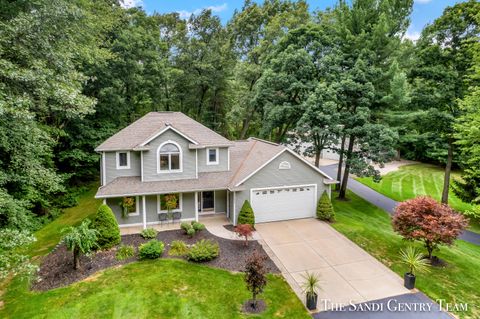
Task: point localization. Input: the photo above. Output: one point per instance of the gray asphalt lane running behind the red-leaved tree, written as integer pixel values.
(384, 202)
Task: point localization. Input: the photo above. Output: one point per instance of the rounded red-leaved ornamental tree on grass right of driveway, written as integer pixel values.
(424, 219)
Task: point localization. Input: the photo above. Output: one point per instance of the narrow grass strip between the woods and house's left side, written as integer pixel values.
(50, 235)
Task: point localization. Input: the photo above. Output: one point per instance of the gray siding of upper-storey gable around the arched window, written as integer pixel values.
(150, 159)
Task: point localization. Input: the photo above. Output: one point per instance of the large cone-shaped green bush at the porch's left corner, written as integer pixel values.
(105, 223)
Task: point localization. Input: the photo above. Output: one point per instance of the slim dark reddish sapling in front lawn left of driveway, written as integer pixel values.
(255, 276)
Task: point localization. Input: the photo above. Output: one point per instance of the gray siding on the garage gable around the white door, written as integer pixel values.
(270, 176)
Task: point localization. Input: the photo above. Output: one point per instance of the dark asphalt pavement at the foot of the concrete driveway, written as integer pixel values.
(407, 306)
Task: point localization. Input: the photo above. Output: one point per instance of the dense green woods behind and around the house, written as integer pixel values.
(74, 72)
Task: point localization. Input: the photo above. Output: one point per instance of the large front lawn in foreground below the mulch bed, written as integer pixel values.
(153, 289)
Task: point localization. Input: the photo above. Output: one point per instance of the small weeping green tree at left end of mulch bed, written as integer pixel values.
(81, 240)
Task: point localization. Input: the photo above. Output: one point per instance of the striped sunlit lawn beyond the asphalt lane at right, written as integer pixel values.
(410, 181)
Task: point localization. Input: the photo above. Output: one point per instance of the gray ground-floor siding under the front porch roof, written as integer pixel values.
(188, 209)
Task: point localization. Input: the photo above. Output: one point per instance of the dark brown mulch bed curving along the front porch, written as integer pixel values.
(56, 269)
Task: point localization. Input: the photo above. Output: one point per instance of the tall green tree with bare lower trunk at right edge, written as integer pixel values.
(445, 61)
